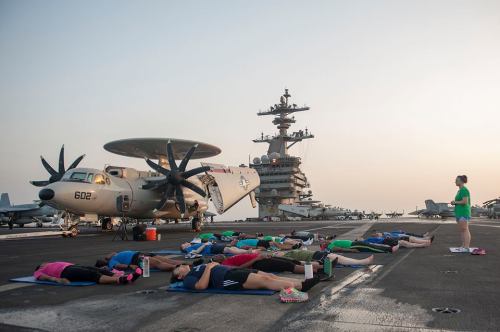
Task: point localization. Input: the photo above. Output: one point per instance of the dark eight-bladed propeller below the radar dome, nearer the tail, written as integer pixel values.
(175, 178)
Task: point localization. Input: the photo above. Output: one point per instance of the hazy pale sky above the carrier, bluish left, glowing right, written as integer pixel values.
(404, 95)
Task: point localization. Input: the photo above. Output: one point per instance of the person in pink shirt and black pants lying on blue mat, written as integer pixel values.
(64, 273)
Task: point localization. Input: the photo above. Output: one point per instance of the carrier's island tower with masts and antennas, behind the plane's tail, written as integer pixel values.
(281, 180)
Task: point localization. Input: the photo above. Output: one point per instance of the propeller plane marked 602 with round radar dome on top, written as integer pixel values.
(169, 192)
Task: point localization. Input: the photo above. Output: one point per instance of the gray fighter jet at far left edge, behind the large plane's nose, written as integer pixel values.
(24, 213)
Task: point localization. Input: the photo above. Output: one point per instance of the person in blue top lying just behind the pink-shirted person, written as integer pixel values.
(130, 259)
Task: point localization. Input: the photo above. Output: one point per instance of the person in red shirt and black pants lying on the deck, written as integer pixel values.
(263, 263)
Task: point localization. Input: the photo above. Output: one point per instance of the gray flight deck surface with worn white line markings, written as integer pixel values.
(397, 294)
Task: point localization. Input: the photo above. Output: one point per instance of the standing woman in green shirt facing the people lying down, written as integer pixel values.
(462, 205)
